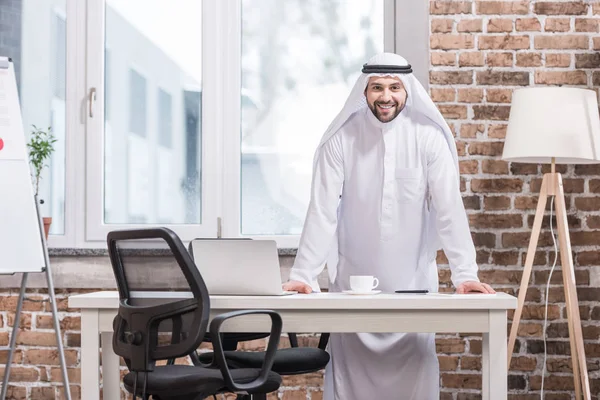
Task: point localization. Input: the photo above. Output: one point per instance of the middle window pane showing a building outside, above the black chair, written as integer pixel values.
(151, 161)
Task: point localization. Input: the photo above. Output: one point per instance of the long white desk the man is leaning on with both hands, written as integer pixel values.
(318, 312)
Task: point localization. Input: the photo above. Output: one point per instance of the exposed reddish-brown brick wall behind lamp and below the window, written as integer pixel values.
(480, 52)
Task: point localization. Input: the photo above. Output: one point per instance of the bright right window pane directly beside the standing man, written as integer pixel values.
(299, 61)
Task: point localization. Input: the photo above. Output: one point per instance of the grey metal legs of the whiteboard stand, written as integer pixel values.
(13, 338)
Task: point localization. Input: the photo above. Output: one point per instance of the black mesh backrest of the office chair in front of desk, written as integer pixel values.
(146, 302)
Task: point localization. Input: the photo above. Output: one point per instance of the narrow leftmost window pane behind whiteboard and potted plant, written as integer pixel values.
(33, 34)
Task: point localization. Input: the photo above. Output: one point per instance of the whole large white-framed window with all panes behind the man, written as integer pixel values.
(199, 115)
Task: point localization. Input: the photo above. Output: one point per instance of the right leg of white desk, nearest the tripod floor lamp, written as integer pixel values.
(494, 368)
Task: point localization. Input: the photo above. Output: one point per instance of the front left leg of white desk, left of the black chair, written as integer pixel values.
(90, 356)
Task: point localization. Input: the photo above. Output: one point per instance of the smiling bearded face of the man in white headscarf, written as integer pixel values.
(385, 96)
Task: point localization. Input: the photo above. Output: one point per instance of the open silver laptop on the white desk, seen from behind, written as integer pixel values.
(239, 266)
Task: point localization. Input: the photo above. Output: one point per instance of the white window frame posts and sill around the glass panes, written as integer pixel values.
(221, 153)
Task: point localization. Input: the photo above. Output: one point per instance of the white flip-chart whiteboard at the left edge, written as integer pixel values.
(21, 241)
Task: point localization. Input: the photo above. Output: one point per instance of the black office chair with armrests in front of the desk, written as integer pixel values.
(144, 322)
